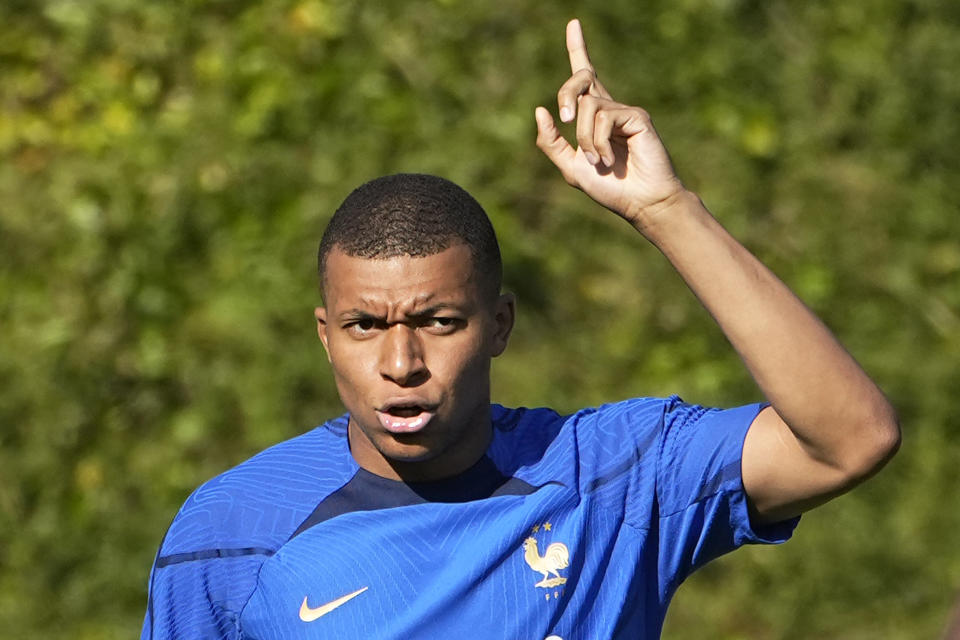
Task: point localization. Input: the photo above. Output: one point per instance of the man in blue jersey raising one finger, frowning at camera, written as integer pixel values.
(426, 512)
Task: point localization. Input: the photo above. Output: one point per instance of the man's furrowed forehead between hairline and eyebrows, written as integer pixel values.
(444, 277)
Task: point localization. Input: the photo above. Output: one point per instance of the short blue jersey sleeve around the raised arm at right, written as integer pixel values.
(701, 500)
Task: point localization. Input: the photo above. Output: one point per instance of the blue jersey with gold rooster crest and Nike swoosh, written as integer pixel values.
(569, 527)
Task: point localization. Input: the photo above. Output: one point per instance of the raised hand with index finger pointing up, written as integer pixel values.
(619, 161)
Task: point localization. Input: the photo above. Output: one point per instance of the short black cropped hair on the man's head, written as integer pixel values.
(412, 214)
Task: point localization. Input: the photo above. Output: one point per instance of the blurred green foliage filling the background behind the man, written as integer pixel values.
(166, 170)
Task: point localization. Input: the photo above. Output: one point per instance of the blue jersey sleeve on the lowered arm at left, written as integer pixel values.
(210, 558)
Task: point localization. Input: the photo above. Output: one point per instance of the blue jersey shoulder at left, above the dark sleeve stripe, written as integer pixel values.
(261, 501)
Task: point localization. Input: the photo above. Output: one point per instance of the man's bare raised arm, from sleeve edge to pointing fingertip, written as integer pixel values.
(829, 427)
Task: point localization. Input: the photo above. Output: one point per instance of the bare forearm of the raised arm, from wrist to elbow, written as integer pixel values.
(835, 411)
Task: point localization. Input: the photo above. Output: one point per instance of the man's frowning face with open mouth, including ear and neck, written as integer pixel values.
(410, 341)
